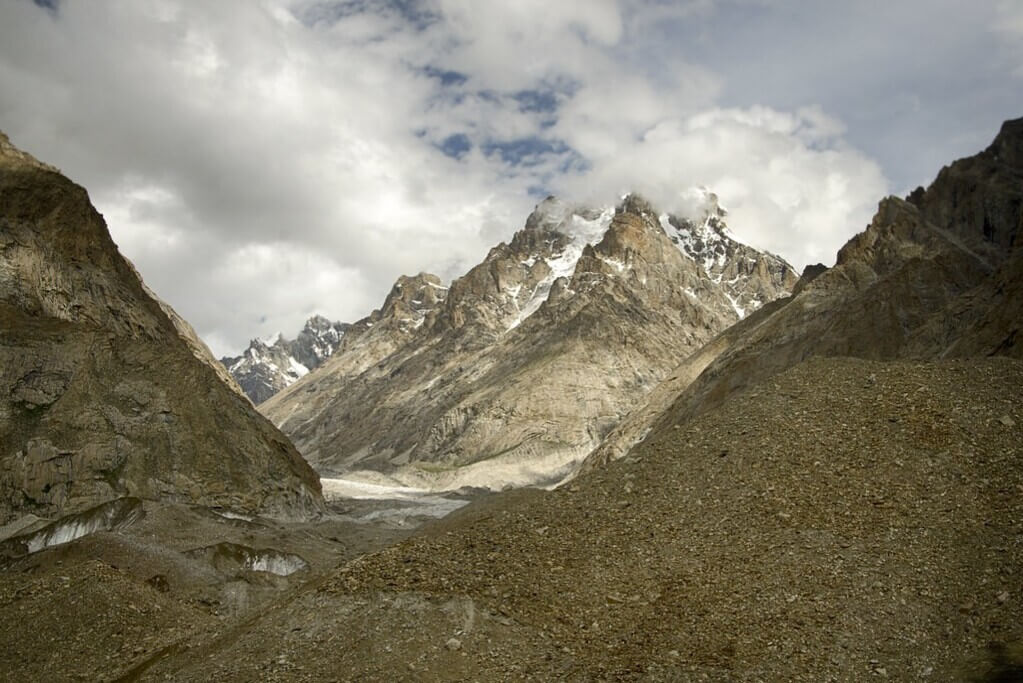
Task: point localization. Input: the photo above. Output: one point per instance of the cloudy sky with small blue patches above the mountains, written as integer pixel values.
(263, 161)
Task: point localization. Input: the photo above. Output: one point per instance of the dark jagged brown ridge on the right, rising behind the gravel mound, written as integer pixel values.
(936, 276)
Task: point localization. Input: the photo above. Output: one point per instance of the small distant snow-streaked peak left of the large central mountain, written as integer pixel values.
(269, 367)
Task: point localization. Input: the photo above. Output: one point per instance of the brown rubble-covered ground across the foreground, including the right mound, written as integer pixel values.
(847, 520)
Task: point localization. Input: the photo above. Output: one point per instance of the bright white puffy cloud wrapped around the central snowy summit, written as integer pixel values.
(790, 184)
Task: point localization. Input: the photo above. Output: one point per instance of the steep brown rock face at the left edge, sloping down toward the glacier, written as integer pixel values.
(104, 392)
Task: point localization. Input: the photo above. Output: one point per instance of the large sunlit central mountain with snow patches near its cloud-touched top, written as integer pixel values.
(517, 372)
